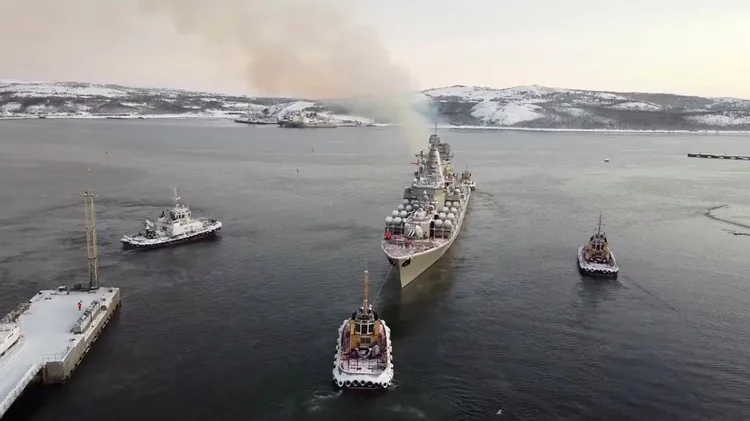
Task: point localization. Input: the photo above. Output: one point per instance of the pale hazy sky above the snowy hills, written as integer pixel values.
(688, 46)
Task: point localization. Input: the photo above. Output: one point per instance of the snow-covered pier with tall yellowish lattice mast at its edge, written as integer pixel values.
(46, 338)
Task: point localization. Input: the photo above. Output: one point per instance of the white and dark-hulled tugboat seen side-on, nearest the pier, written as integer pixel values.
(176, 226)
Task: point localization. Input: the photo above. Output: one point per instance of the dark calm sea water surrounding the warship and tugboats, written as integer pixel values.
(244, 327)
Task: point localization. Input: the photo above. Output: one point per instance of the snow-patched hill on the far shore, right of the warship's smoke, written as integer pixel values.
(542, 107)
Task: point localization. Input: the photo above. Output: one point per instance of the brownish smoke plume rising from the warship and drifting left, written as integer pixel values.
(304, 48)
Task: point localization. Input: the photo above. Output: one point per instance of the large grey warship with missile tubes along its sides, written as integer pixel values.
(424, 227)
